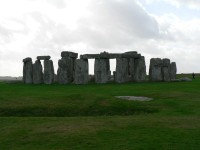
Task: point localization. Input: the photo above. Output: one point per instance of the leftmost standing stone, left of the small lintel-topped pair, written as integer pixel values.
(28, 71)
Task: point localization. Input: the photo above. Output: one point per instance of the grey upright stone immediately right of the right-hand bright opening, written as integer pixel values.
(121, 74)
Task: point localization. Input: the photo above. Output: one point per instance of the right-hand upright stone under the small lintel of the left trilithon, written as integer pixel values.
(48, 72)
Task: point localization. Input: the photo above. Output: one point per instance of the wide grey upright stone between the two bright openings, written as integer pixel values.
(102, 70)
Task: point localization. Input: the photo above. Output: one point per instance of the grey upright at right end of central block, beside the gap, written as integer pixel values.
(139, 69)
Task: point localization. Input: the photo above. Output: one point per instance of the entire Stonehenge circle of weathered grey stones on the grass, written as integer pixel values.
(130, 67)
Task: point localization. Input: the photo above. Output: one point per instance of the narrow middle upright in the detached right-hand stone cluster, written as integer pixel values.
(166, 69)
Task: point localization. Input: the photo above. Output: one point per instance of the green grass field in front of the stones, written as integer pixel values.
(59, 117)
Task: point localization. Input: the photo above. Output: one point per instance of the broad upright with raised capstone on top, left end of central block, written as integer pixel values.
(66, 70)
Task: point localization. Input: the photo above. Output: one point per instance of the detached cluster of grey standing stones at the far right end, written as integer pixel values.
(162, 70)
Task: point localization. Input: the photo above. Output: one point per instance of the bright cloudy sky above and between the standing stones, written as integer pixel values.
(154, 28)
